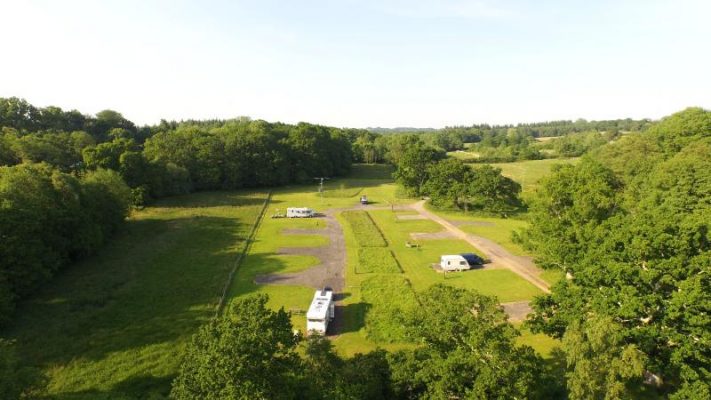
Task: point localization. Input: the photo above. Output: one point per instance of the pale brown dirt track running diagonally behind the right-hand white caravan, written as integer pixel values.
(522, 266)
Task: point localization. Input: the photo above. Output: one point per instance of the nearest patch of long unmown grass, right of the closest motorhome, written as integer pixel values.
(390, 298)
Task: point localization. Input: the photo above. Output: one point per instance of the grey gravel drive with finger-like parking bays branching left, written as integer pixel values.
(331, 270)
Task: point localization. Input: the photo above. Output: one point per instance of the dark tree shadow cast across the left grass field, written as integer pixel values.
(148, 289)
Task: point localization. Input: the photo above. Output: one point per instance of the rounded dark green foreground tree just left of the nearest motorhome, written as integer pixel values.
(249, 352)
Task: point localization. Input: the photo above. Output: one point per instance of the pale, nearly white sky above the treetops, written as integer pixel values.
(360, 63)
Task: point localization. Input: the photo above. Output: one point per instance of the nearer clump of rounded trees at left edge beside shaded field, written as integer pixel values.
(49, 218)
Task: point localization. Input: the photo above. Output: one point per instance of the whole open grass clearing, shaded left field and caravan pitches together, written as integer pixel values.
(133, 306)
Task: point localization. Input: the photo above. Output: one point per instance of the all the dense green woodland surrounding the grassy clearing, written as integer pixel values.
(629, 225)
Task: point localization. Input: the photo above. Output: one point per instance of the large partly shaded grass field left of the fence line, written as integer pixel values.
(113, 326)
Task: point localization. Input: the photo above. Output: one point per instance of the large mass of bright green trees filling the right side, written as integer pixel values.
(634, 237)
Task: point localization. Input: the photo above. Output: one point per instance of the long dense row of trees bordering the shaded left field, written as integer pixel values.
(67, 181)
